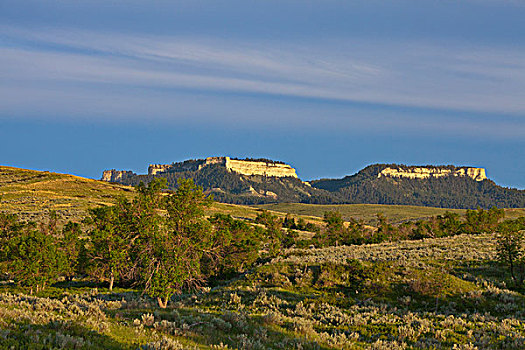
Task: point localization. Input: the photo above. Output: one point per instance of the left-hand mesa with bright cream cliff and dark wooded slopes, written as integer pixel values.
(248, 181)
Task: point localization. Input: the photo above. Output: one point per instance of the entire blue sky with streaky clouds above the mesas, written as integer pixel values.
(326, 86)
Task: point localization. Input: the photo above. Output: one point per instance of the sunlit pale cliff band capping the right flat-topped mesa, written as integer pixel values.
(477, 174)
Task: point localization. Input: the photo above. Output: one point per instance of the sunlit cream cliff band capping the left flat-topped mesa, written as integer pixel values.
(244, 167)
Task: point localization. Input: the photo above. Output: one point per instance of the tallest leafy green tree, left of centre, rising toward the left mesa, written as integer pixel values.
(171, 256)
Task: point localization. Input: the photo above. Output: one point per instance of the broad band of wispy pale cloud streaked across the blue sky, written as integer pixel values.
(87, 73)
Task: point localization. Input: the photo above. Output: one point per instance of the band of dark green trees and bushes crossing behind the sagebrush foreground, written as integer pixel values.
(162, 242)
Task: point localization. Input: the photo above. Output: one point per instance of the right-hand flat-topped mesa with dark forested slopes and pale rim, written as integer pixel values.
(433, 186)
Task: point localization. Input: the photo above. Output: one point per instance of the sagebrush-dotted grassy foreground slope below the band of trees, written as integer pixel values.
(432, 294)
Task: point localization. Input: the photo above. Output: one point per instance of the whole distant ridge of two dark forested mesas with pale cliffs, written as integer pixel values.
(259, 181)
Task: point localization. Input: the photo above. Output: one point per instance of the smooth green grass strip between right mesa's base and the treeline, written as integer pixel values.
(368, 212)
